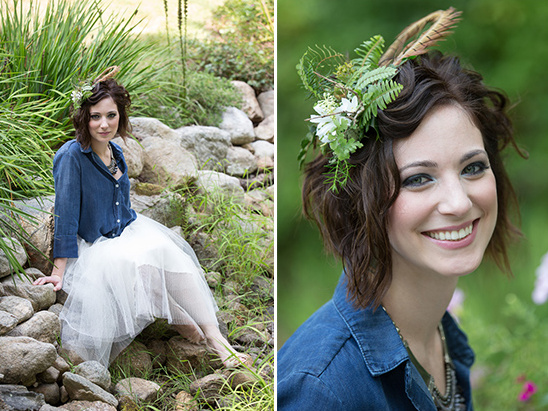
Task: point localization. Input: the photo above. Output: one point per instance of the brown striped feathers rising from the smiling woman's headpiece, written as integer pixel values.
(442, 21)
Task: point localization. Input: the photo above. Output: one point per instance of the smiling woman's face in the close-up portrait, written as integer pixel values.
(445, 213)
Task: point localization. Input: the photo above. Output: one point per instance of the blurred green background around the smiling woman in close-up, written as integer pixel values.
(507, 42)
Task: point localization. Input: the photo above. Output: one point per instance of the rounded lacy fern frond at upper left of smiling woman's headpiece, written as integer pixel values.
(316, 68)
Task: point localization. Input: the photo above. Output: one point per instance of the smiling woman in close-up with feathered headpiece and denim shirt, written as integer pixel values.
(409, 192)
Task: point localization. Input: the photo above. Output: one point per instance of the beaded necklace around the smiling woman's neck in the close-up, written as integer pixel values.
(453, 400)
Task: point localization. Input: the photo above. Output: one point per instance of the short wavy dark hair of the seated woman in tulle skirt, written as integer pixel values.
(102, 90)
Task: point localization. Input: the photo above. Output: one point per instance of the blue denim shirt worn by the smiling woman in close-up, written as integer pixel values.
(342, 358)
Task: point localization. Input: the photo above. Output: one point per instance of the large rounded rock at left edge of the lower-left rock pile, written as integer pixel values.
(21, 358)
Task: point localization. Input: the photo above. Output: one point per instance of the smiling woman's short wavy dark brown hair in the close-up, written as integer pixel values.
(353, 221)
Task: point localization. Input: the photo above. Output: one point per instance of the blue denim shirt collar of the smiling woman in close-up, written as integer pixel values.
(379, 341)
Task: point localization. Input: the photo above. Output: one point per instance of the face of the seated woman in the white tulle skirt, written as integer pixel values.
(103, 120)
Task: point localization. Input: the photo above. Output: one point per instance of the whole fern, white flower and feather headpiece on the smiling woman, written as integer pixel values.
(349, 93)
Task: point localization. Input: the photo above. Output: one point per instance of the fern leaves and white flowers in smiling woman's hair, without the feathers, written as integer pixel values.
(350, 94)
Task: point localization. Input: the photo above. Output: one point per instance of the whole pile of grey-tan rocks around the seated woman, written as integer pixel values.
(237, 159)
